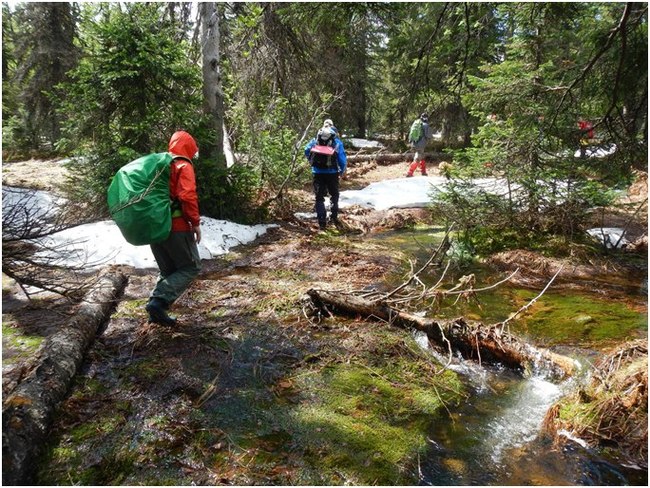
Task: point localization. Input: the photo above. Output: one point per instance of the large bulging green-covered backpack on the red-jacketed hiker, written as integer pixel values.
(138, 199)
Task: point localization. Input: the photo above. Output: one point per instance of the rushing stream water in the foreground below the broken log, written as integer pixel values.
(492, 439)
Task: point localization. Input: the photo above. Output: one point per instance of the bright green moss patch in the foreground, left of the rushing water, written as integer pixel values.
(370, 423)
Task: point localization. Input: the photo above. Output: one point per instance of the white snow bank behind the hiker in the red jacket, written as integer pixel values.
(101, 243)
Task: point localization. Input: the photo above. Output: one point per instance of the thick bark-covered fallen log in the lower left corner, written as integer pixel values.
(27, 412)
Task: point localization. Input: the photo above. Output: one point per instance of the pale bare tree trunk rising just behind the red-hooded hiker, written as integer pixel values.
(212, 90)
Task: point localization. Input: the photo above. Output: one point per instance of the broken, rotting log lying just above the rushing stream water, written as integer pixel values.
(473, 340)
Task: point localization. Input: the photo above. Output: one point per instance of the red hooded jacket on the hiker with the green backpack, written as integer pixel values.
(182, 182)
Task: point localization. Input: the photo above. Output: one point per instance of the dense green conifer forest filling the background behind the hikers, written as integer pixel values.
(108, 82)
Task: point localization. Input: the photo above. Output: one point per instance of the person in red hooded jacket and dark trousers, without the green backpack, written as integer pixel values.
(178, 256)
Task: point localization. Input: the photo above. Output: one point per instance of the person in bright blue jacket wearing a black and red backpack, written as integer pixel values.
(328, 161)
